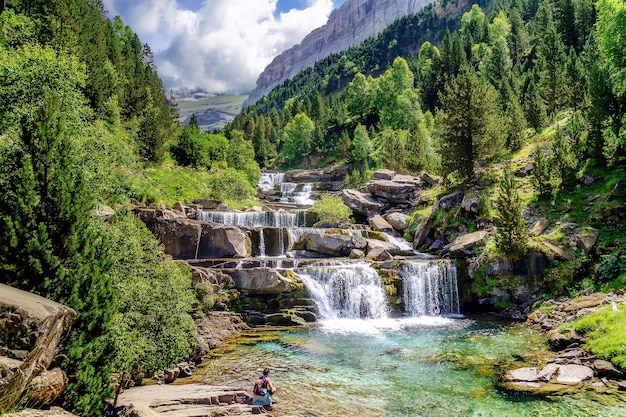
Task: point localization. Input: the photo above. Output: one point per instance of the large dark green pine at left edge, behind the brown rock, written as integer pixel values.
(48, 245)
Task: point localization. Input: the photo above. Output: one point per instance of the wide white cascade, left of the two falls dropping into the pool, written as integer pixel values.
(346, 291)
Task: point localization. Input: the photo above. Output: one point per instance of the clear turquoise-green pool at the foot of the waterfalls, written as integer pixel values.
(431, 367)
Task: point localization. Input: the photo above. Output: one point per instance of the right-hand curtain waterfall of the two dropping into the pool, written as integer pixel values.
(430, 288)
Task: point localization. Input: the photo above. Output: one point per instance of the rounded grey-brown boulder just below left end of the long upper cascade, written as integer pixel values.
(222, 241)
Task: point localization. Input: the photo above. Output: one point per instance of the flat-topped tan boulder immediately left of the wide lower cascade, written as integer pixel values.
(261, 280)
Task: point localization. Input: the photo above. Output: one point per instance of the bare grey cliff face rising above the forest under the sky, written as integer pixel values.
(348, 26)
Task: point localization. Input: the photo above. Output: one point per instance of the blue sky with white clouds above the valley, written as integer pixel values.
(219, 46)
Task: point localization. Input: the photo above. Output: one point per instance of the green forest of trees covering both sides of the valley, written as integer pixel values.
(85, 122)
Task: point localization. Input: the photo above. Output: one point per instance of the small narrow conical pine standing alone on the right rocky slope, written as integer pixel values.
(511, 233)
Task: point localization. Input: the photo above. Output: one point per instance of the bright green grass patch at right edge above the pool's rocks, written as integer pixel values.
(606, 333)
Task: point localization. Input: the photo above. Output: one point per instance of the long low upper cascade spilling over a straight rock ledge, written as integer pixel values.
(254, 219)
